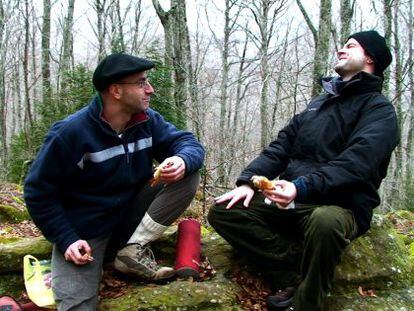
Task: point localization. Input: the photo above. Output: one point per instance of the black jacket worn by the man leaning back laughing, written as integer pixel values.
(337, 150)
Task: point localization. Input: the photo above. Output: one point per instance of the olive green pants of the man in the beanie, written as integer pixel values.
(298, 246)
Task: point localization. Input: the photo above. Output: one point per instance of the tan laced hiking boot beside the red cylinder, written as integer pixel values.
(139, 261)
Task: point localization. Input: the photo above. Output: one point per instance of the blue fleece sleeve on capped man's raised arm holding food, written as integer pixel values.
(168, 141)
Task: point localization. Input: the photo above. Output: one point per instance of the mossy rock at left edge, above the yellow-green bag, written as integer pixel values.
(11, 254)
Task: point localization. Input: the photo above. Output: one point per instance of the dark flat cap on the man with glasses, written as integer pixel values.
(117, 66)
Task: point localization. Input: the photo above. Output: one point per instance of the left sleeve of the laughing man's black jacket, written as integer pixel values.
(273, 160)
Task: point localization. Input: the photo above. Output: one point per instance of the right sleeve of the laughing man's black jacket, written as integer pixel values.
(367, 154)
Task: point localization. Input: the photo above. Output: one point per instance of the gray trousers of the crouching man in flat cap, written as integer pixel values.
(76, 287)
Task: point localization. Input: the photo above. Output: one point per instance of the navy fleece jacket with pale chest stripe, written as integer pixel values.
(85, 174)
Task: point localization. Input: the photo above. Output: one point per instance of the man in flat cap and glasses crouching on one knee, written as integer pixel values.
(88, 189)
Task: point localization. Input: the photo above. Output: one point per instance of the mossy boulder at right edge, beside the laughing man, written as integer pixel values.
(379, 259)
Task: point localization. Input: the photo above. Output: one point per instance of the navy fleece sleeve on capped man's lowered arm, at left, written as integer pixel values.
(42, 192)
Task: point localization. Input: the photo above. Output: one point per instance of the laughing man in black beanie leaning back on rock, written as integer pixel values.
(329, 160)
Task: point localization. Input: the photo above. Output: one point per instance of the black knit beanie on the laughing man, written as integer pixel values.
(375, 46)
